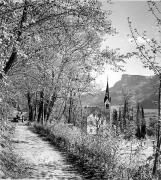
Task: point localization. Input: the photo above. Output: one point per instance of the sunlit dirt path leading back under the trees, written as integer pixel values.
(47, 161)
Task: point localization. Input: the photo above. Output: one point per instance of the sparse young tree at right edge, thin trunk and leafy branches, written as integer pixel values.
(149, 53)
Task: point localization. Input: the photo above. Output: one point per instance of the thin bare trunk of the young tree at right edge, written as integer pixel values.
(158, 131)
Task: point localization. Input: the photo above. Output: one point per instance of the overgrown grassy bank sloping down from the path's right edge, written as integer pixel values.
(100, 156)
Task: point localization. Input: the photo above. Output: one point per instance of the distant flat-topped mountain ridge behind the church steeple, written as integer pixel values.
(142, 88)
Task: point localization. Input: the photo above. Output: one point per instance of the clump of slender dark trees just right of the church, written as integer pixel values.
(128, 118)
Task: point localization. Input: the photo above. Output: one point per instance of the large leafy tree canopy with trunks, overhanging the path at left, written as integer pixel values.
(50, 50)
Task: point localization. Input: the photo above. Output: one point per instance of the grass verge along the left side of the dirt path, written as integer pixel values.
(11, 166)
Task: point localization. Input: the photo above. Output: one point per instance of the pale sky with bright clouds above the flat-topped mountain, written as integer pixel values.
(141, 19)
